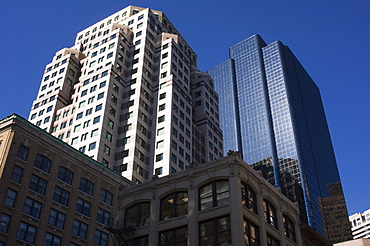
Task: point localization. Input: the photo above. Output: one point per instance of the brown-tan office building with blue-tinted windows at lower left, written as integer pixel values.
(52, 194)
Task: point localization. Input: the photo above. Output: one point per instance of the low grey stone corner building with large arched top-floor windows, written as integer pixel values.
(224, 202)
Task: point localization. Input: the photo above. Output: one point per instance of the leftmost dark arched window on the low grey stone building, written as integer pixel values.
(137, 215)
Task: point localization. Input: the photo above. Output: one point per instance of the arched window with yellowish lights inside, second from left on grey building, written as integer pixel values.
(174, 205)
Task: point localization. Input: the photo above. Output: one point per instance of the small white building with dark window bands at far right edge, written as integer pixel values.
(360, 224)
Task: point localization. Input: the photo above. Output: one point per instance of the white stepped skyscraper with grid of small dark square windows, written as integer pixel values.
(126, 94)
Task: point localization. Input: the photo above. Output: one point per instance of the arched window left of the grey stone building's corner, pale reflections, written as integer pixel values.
(214, 194)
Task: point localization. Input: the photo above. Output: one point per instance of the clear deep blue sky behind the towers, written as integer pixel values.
(328, 37)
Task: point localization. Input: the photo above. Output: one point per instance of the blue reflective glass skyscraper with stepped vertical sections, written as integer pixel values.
(271, 111)
